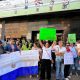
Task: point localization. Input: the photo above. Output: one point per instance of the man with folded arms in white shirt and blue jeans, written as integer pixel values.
(60, 50)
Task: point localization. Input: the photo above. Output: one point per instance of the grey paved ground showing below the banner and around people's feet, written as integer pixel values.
(74, 77)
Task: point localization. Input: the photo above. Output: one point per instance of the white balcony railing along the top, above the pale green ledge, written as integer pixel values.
(11, 5)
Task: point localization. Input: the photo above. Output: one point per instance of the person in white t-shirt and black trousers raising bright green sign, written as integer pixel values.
(46, 61)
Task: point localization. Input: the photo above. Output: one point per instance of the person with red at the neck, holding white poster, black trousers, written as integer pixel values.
(68, 61)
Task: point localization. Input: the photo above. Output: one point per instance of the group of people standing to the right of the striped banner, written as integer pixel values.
(63, 57)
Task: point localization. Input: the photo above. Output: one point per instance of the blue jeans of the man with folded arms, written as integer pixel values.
(59, 70)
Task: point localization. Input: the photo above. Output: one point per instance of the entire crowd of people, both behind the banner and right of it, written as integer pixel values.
(50, 53)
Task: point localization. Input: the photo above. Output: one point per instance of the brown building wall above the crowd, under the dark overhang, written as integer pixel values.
(14, 29)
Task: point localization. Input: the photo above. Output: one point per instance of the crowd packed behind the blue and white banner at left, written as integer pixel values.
(12, 45)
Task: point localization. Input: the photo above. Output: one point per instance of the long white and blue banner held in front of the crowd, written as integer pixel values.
(18, 64)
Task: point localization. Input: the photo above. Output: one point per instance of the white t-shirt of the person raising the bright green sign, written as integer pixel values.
(46, 53)
